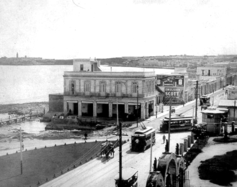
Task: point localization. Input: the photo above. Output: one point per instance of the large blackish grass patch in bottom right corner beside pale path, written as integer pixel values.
(219, 169)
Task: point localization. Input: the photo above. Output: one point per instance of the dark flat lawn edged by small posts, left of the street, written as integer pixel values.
(41, 165)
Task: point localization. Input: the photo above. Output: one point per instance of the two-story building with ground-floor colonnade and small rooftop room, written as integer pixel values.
(102, 91)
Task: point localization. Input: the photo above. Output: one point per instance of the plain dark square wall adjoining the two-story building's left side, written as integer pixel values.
(55, 103)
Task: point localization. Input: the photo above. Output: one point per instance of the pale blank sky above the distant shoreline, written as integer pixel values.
(67, 29)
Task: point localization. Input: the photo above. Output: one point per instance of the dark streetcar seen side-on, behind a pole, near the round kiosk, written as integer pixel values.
(179, 123)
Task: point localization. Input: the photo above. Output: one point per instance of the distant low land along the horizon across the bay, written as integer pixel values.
(148, 61)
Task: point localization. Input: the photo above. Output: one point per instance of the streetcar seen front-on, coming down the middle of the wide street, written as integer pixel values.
(141, 139)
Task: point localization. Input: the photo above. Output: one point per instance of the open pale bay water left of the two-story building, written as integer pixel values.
(22, 84)
